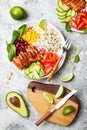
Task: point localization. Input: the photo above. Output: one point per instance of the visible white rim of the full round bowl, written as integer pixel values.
(59, 52)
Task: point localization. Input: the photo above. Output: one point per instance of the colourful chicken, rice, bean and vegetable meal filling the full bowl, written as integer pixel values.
(28, 48)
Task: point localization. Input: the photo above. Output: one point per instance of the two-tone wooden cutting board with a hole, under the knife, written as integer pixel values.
(35, 95)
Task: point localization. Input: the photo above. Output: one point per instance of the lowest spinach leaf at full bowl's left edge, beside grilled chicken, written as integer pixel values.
(11, 51)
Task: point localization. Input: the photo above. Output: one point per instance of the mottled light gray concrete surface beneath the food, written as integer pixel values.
(39, 9)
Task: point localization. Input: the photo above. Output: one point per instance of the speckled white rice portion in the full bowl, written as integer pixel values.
(50, 41)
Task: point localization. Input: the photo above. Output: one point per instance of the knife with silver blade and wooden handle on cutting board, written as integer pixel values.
(57, 106)
